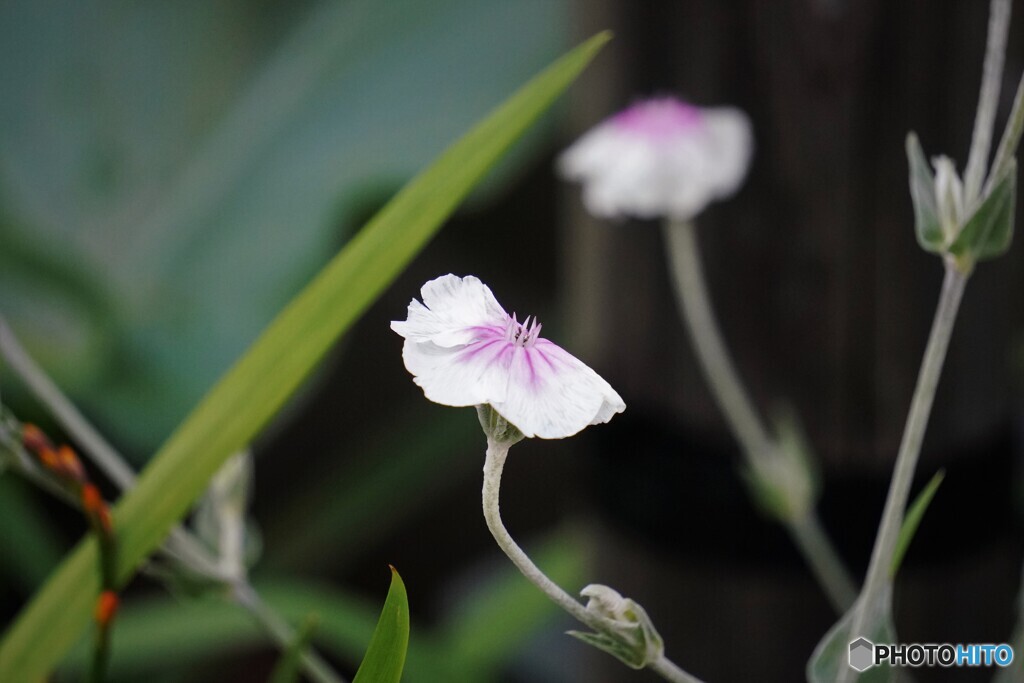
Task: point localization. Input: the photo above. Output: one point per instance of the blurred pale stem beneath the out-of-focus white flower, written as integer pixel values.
(736, 404)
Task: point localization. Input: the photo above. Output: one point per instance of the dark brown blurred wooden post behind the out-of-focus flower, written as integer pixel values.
(826, 302)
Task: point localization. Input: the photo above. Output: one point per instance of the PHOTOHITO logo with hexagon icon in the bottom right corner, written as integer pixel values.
(865, 655)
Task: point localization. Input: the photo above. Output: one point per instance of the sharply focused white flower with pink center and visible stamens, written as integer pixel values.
(463, 350)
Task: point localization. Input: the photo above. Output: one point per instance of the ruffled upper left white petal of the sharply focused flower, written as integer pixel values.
(453, 312)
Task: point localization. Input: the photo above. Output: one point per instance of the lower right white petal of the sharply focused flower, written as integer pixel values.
(552, 395)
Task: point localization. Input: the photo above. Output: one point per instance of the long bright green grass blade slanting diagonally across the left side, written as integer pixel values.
(255, 389)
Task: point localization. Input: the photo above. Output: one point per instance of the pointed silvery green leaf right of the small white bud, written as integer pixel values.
(989, 233)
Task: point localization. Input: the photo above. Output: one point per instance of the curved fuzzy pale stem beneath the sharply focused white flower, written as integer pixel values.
(493, 467)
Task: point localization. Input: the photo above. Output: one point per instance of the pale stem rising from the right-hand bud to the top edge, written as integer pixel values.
(992, 80)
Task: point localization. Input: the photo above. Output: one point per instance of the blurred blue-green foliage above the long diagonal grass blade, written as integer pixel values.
(170, 175)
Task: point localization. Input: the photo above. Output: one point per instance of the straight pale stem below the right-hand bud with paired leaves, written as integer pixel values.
(879, 572)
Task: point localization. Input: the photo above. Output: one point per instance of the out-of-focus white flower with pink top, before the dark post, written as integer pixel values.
(661, 158)
